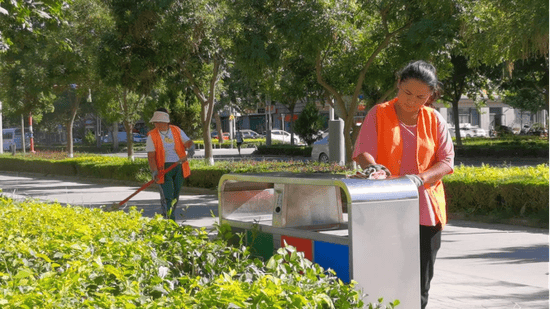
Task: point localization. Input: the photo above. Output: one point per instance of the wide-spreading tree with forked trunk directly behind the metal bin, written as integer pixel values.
(347, 40)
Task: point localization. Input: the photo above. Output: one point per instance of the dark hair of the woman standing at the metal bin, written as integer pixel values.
(424, 72)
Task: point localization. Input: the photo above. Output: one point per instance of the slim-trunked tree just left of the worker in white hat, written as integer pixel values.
(131, 58)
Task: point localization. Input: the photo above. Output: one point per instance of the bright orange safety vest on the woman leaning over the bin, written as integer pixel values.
(390, 149)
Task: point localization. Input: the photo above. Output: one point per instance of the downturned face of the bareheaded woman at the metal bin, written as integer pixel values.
(412, 94)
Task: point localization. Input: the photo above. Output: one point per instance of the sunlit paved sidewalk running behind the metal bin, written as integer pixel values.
(478, 266)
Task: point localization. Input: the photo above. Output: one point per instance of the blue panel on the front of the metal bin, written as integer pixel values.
(333, 256)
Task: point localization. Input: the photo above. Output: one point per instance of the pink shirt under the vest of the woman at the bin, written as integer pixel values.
(367, 142)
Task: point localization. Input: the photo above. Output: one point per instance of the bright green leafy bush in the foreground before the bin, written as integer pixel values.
(72, 257)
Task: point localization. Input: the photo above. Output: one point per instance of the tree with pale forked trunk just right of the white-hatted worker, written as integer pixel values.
(196, 39)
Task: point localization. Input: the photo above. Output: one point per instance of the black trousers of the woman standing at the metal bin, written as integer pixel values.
(430, 242)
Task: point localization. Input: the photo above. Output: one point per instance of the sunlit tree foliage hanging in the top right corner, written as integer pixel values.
(497, 32)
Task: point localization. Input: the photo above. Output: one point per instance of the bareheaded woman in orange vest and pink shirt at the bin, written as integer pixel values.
(405, 137)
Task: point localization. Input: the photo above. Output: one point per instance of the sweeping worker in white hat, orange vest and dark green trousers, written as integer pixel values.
(167, 144)
